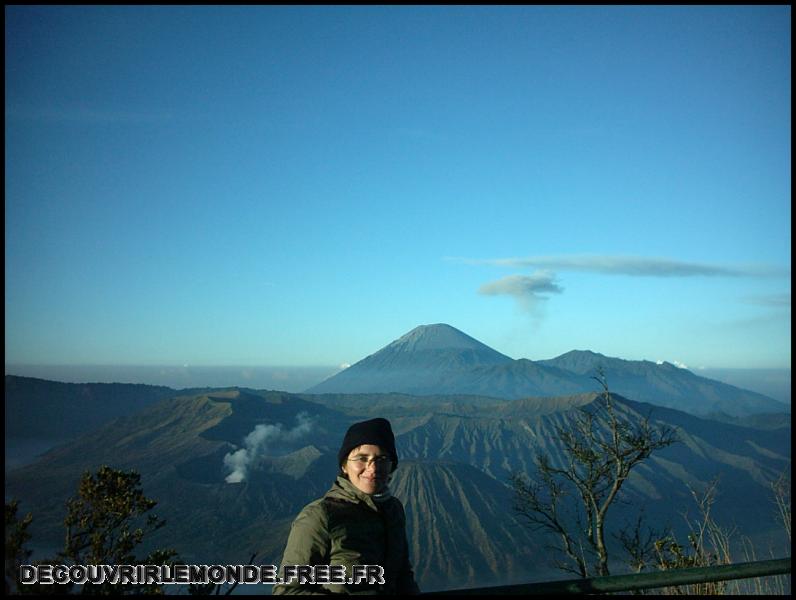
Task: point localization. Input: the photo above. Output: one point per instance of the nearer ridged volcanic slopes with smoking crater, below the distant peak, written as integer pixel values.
(456, 455)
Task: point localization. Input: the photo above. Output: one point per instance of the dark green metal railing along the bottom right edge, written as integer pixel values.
(637, 581)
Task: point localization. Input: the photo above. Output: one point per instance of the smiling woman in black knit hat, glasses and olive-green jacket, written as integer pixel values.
(357, 522)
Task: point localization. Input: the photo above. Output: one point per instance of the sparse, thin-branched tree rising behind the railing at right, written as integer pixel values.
(571, 501)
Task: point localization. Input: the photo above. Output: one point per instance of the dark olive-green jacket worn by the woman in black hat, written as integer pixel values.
(347, 527)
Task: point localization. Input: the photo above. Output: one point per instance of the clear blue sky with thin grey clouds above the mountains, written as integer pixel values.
(302, 185)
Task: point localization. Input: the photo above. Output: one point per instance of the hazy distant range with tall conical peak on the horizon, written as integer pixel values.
(441, 360)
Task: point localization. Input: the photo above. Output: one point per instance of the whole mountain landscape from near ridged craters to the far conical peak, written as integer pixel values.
(231, 467)
